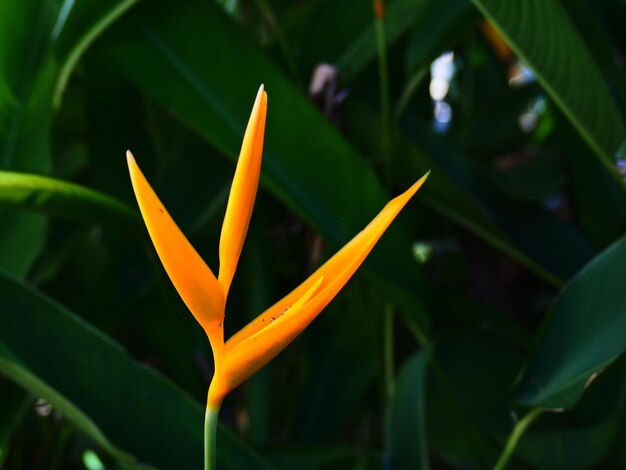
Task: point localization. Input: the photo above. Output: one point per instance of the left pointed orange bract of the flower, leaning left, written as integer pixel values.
(192, 278)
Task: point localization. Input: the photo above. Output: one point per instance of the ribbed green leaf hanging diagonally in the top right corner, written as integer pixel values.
(543, 35)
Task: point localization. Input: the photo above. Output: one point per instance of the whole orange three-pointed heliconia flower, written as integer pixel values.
(205, 295)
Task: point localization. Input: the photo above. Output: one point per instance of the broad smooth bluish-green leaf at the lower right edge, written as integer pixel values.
(582, 333)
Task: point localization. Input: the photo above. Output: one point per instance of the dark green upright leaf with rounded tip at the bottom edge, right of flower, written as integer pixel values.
(406, 430)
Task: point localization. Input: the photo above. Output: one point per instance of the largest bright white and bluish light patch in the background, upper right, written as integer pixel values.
(441, 71)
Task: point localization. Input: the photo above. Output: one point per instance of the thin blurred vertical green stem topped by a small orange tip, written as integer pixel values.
(381, 45)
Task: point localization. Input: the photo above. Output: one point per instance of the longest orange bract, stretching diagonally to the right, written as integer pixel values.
(256, 344)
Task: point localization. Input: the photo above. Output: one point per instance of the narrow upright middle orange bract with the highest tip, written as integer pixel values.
(242, 193)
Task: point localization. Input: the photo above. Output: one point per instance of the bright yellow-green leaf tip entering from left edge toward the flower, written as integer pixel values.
(59, 198)
